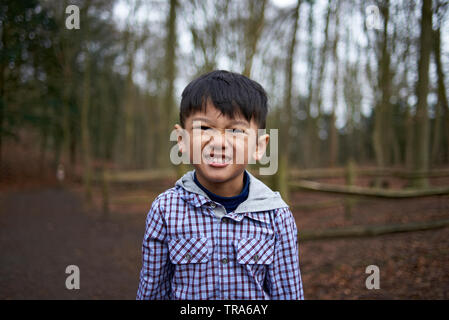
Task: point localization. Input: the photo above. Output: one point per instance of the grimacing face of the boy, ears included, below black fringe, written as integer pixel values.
(219, 147)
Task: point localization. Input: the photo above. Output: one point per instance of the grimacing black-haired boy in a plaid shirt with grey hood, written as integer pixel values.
(220, 233)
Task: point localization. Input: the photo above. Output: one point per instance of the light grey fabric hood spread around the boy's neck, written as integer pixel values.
(260, 197)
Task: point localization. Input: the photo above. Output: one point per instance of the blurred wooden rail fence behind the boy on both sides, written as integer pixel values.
(350, 191)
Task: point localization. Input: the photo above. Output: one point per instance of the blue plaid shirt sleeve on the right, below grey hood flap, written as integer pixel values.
(284, 277)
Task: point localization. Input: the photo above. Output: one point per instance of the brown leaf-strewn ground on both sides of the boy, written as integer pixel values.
(45, 229)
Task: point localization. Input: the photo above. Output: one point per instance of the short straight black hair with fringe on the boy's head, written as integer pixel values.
(229, 92)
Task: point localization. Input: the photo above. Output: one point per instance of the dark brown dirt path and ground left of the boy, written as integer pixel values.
(42, 232)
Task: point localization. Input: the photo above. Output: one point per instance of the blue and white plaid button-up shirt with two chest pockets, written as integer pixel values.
(190, 252)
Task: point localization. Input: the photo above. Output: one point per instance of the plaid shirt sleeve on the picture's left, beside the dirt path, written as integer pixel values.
(156, 272)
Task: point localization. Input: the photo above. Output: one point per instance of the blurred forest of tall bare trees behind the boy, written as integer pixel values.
(346, 81)
